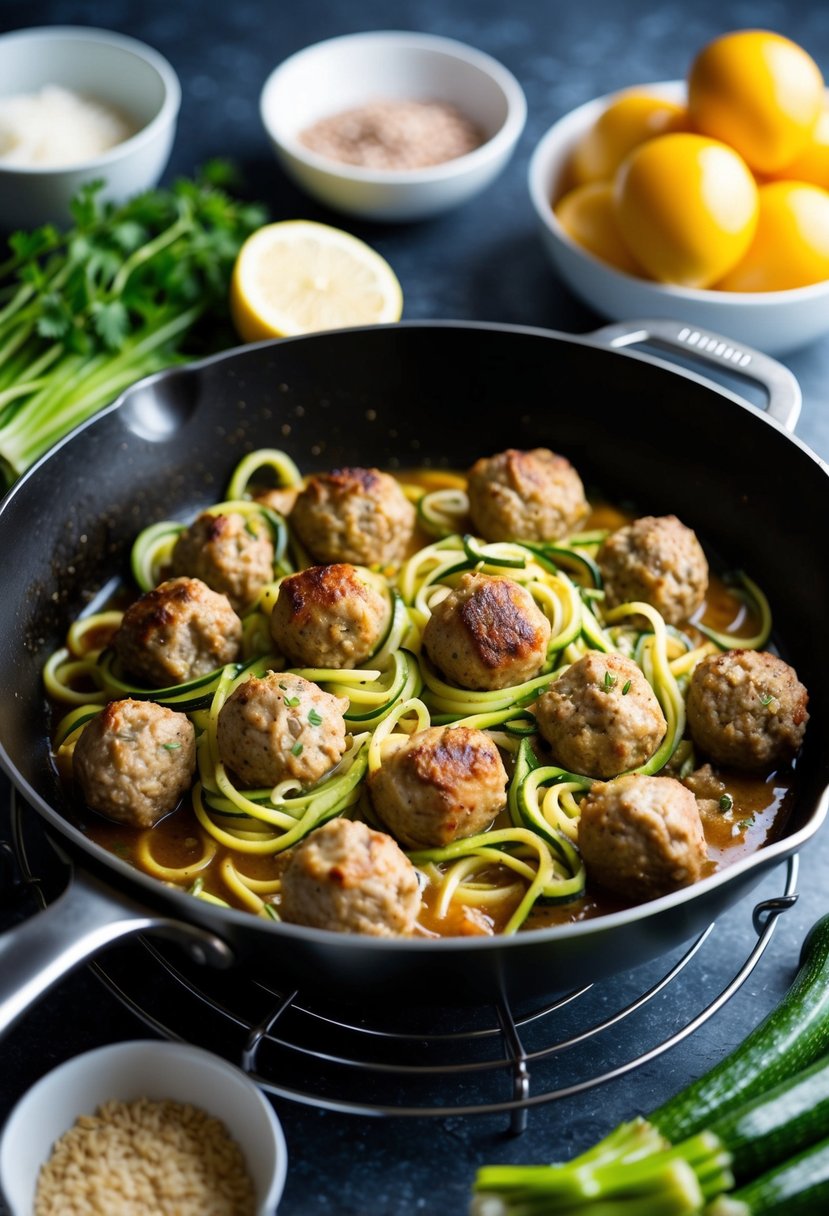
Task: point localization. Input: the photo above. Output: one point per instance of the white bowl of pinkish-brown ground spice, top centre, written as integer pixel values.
(391, 125)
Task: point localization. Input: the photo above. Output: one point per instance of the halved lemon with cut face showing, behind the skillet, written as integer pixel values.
(298, 277)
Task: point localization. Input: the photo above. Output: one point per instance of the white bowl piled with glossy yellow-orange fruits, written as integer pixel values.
(704, 200)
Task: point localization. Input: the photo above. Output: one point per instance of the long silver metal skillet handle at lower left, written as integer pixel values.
(84, 920)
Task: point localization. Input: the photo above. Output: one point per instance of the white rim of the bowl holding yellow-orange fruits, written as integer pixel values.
(573, 122)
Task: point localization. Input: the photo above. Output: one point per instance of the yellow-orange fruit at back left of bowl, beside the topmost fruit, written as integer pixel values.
(628, 120)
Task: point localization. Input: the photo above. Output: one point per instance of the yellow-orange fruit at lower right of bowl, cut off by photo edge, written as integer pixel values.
(791, 247)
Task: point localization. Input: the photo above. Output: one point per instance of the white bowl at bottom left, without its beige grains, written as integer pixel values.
(142, 1069)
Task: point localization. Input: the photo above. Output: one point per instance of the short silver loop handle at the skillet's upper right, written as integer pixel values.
(714, 351)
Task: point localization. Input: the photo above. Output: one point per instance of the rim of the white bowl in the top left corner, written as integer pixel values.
(167, 114)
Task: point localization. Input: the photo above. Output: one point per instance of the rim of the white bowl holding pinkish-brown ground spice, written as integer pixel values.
(501, 76)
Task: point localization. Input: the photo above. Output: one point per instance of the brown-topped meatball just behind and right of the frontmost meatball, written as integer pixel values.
(442, 785)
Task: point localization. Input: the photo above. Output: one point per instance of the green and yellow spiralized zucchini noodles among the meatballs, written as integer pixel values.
(531, 855)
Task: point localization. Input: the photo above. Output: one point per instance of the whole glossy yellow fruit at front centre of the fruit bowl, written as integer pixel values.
(687, 207)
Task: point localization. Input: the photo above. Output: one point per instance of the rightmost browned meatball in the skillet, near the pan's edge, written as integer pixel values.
(747, 710)
